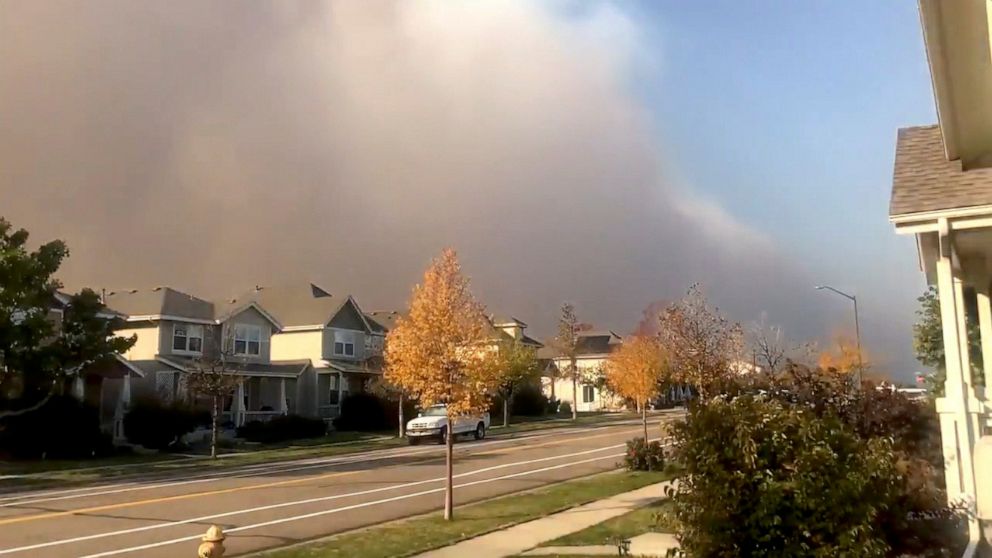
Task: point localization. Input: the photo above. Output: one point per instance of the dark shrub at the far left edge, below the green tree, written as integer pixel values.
(63, 428)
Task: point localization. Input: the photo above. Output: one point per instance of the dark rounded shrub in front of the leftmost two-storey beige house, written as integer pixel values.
(156, 425)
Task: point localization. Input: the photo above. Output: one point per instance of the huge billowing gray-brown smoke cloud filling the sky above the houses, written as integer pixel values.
(217, 145)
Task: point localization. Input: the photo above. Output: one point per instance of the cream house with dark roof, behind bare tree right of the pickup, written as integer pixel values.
(593, 348)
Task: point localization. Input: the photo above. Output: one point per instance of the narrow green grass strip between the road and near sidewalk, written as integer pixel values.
(413, 536)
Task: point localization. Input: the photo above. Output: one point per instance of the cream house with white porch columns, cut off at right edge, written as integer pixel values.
(942, 196)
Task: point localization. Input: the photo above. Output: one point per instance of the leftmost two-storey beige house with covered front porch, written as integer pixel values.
(174, 330)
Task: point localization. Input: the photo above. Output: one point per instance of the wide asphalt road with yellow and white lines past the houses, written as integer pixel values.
(270, 505)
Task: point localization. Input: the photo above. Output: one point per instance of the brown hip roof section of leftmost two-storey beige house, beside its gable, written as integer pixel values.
(159, 303)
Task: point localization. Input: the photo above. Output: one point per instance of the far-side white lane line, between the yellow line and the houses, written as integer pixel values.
(248, 470)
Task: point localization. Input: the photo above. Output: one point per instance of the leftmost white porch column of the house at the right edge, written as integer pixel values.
(957, 428)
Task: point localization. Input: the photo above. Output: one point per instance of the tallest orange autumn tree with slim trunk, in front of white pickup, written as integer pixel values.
(440, 352)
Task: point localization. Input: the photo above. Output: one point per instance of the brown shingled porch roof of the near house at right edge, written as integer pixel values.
(924, 180)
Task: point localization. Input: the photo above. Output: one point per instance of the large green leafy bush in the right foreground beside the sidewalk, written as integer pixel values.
(763, 477)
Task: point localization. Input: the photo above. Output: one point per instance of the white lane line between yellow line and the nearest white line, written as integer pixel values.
(299, 502)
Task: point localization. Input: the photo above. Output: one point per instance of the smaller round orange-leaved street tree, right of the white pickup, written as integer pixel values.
(635, 370)
